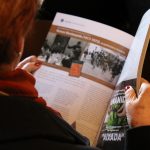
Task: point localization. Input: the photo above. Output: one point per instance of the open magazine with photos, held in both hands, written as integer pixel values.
(87, 66)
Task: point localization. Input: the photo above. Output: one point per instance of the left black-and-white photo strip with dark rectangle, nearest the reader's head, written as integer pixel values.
(61, 50)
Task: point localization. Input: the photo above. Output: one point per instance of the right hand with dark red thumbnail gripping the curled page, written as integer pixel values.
(138, 108)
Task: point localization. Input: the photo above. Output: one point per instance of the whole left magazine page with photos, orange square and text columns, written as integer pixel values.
(81, 97)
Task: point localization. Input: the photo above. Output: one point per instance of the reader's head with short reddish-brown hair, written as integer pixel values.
(16, 18)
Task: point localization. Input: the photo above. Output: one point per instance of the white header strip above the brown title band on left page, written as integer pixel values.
(94, 28)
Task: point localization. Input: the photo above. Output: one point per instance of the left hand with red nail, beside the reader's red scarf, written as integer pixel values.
(30, 64)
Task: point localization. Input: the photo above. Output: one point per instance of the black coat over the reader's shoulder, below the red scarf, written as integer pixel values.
(28, 125)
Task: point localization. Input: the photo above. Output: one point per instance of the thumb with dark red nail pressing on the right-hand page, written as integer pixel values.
(130, 93)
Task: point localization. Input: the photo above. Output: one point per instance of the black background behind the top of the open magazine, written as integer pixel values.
(122, 14)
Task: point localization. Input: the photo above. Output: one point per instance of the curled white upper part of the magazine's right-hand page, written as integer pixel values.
(133, 66)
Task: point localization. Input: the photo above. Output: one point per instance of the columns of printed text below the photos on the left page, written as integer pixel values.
(80, 101)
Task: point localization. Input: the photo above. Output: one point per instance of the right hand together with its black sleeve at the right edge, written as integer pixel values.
(138, 116)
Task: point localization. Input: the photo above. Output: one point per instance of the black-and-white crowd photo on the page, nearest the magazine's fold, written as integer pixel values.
(102, 63)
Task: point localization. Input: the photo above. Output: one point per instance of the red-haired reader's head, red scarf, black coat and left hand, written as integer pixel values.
(26, 121)
